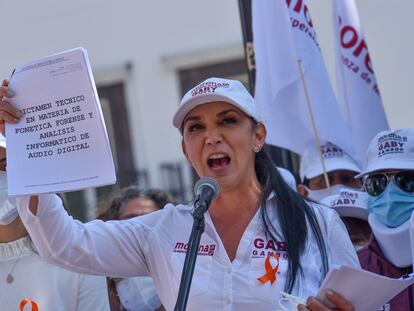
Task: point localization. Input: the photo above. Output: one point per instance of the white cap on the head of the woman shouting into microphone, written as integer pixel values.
(217, 89)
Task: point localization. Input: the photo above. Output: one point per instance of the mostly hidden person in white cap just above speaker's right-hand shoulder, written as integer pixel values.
(351, 205)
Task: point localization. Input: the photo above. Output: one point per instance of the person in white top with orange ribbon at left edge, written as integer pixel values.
(29, 282)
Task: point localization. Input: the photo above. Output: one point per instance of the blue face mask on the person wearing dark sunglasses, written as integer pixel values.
(393, 207)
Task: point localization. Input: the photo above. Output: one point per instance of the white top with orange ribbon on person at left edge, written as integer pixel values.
(48, 286)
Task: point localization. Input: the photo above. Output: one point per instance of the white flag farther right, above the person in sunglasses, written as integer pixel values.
(358, 93)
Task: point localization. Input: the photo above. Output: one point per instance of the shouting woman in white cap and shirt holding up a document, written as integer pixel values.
(260, 236)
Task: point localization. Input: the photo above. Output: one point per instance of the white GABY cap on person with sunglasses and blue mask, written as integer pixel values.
(391, 150)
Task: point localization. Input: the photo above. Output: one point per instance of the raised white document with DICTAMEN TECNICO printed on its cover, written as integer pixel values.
(61, 143)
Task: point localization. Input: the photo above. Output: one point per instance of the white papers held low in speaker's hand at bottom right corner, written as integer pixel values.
(366, 290)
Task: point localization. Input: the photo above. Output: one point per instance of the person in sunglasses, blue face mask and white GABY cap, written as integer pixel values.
(389, 182)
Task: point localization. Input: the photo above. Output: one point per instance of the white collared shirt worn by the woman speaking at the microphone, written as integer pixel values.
(155, 245)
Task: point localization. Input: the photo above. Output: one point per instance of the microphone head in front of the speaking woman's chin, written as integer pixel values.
(206, 189)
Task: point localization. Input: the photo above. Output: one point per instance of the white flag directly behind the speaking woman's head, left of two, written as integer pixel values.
(283, 33)
